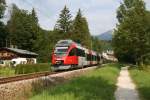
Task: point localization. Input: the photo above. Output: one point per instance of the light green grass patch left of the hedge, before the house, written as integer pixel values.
(7, 71)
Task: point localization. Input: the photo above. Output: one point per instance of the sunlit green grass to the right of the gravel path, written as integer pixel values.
(142, 80)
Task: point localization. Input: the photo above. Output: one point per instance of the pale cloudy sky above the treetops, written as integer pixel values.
(100, 14)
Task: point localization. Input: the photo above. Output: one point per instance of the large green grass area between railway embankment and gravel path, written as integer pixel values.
(94, 85)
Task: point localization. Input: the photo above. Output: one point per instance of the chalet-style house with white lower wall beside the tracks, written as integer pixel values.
(13, 57)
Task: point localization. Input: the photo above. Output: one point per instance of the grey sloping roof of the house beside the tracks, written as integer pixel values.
(20, 51)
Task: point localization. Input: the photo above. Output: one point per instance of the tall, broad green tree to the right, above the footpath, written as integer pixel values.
(131, 39)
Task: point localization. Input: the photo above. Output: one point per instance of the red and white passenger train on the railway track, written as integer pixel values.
(69, 54)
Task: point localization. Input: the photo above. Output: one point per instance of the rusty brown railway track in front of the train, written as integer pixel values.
(24, 77)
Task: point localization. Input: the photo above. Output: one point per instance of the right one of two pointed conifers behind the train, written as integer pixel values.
(81, 32)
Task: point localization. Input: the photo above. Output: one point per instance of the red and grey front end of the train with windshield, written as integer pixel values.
(60, 55)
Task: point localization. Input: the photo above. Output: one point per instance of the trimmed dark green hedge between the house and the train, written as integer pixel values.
(32, 68)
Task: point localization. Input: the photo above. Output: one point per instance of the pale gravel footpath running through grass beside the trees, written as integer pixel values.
(126, 88)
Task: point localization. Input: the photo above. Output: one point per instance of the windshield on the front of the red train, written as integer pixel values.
(61, 51)
